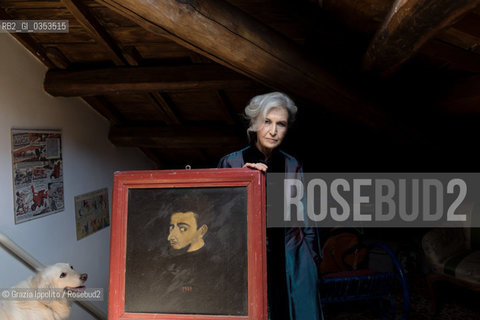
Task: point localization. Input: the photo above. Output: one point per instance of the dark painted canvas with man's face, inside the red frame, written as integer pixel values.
(186, 251)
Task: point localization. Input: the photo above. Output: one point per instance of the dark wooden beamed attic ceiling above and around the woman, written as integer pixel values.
(380, 84)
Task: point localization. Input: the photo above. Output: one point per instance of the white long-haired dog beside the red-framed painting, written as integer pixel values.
(58, 276)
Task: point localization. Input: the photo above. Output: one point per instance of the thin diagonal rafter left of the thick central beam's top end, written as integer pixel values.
(85, 18)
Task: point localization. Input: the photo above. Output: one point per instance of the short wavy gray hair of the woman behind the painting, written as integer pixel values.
(260, 105)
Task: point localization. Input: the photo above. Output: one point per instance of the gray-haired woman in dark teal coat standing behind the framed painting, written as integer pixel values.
(291, 268)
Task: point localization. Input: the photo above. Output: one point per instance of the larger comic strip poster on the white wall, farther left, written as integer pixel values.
(37, 173)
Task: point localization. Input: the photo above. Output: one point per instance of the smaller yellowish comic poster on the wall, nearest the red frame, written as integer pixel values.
(91, 212)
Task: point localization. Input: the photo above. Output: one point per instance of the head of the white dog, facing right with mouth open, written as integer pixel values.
(61, 276)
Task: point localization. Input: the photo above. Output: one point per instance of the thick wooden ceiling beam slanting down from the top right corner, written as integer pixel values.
(407, 27)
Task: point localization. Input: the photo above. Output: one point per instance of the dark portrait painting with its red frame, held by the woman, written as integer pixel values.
(188, 244)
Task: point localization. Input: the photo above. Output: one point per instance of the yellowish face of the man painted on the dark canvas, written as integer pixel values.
(184, 231)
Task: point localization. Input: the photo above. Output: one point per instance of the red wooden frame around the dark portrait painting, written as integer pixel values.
(253, 180)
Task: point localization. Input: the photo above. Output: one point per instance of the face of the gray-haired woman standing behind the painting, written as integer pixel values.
(273, 129)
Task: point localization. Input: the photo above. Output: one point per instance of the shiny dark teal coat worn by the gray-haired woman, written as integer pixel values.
(300, 258)
